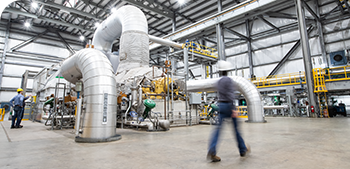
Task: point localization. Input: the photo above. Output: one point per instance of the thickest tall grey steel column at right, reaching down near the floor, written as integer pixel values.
(306, 56)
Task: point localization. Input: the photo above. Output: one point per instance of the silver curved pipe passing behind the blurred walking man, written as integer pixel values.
(248, 89)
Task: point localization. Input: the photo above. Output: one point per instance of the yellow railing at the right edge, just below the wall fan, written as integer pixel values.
(337, 74)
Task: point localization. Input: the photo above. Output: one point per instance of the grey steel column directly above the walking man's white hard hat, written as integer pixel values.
(220, 36)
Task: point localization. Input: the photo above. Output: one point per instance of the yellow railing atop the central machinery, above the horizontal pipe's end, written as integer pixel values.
(201, 49)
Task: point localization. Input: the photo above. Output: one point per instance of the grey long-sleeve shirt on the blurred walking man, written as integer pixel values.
(226, 90)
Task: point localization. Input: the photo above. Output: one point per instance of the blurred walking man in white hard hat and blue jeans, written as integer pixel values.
(226, 92)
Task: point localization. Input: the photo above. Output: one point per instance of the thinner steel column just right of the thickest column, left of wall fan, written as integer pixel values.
(321, 37)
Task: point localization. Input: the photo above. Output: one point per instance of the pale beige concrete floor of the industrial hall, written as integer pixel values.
(279, 143)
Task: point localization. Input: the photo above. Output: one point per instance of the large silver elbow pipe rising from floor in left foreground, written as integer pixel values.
(100, 94)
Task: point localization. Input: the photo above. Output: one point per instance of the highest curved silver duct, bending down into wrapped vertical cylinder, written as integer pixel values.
(130, 24)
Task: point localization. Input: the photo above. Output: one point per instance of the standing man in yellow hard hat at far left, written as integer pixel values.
(17, 104)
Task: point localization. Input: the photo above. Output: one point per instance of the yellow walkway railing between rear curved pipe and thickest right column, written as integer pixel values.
(279, 80)
